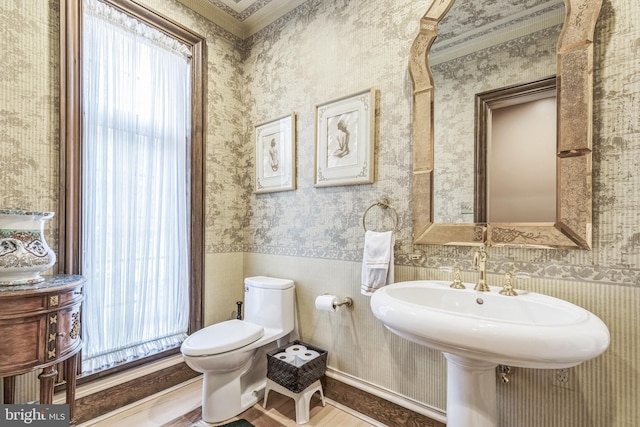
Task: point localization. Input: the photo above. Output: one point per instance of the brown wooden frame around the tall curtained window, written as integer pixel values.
(70, 188)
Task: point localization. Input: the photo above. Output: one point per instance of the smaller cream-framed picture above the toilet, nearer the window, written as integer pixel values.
(276, 155)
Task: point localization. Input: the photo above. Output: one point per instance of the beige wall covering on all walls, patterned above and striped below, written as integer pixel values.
(323, 50)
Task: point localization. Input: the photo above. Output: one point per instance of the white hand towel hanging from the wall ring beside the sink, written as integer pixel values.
(377, 261)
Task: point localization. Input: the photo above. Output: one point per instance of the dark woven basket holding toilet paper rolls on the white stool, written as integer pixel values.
(296, 378)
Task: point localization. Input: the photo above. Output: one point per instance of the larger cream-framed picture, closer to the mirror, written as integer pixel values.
(345, 140)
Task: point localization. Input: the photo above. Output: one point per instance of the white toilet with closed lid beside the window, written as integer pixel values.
(232, 354)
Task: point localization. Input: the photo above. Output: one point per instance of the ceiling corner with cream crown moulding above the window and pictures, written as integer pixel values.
(242, 17)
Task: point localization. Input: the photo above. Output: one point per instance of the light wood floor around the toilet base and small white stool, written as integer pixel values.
(181, 408)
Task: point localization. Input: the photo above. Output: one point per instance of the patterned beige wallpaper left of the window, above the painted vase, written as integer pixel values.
(29, 99)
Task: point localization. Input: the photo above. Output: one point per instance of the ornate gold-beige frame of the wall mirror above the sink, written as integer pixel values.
(574, 79)
